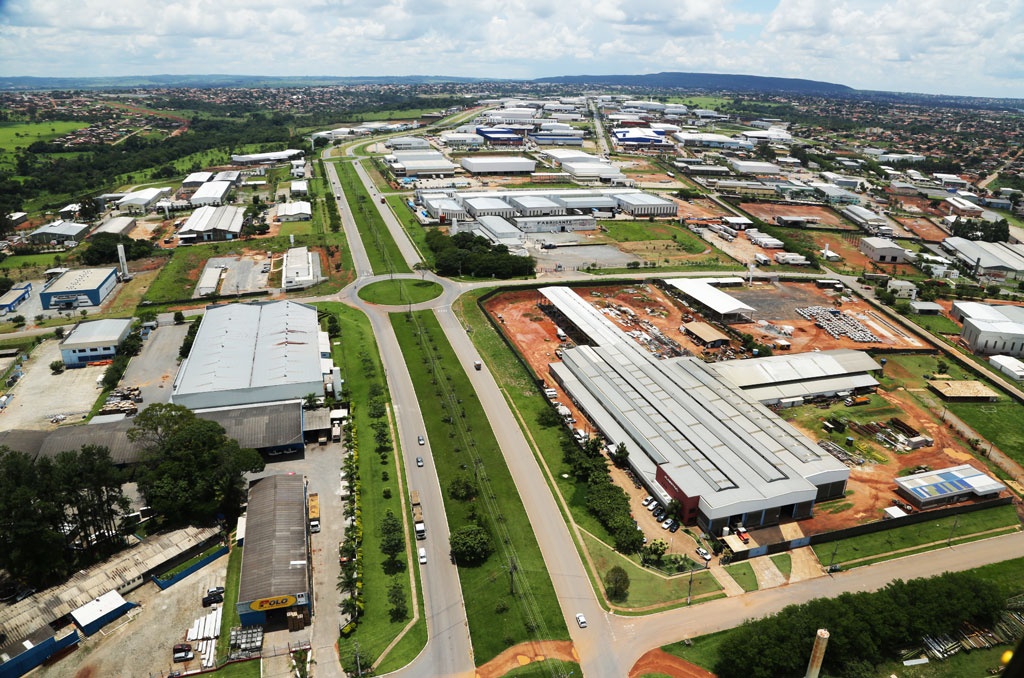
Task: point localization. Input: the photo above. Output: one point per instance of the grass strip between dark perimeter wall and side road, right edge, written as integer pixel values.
(911, 536)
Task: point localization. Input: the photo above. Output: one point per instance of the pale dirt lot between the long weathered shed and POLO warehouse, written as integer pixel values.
(144, 647)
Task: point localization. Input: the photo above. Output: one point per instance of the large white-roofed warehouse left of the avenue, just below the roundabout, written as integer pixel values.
(251, 353)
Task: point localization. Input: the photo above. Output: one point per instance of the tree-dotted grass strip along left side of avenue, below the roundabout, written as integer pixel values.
(357, 354)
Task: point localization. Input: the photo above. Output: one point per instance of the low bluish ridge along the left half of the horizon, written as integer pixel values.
(216, 80)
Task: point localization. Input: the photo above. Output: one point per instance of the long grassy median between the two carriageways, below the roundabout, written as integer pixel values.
(484, 585)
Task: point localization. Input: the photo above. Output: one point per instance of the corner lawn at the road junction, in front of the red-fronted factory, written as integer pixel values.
(647, 588)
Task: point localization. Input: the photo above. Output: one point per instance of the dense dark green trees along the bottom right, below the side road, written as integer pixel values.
(866, 629)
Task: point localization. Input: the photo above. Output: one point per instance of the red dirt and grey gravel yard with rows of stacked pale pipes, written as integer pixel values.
(778, 305)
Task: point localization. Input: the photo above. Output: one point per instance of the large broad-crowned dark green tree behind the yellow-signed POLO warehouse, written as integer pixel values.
(190, 471)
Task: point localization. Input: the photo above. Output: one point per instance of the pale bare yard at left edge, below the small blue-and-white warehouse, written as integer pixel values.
(40, 395)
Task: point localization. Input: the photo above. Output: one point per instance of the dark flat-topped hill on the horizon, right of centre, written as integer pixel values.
(730, 82)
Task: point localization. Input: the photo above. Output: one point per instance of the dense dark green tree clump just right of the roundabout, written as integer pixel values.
(465, 255)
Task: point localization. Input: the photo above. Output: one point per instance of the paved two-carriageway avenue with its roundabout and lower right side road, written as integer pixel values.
(611, 645)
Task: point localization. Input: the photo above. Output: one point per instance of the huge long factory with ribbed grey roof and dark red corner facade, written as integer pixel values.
(692, 436)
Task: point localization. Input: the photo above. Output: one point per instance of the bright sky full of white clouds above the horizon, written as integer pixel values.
(941, 47)
